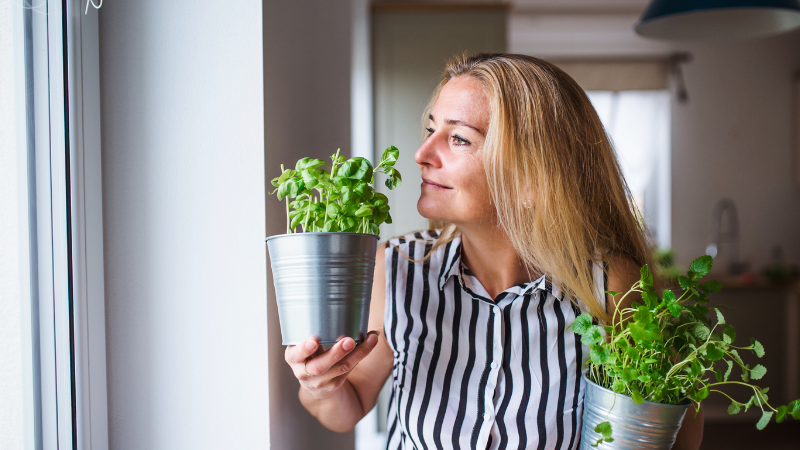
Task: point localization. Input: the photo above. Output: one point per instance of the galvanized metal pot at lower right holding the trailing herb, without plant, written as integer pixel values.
(646, 426)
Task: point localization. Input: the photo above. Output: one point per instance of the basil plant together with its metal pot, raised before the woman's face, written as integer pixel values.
(323, 266)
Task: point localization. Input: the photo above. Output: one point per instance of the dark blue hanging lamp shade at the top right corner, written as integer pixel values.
(698, 20)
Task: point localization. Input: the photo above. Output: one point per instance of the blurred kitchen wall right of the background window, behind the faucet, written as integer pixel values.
(734, 139)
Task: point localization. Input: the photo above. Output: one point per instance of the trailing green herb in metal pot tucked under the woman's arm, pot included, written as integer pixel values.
(657, 358)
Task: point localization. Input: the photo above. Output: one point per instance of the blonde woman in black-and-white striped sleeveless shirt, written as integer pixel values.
(530, 225)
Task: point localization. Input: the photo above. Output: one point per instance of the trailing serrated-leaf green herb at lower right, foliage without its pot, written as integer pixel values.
(673, 348)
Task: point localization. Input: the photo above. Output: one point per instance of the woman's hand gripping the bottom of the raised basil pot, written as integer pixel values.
(321, 373)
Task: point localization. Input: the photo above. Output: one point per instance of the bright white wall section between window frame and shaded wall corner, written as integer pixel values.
(183, 197)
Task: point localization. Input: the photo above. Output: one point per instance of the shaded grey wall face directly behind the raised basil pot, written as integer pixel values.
(307, 92)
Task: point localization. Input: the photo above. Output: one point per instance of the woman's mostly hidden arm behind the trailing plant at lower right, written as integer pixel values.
(622, 274)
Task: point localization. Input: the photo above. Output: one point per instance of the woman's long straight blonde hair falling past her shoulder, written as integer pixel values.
(553, 175)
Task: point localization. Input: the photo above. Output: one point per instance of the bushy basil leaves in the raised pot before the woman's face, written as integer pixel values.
(341, 199)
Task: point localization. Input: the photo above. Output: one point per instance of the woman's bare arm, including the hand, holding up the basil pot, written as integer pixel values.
(341, 385)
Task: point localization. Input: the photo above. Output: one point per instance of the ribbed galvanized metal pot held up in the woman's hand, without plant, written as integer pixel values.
(323, 284)
